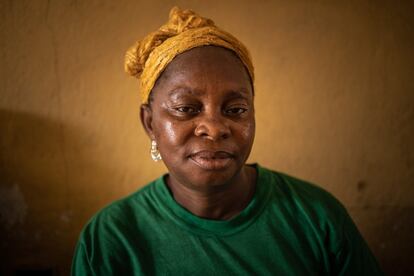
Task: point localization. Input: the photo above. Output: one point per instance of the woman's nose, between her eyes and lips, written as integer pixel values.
(212, 127)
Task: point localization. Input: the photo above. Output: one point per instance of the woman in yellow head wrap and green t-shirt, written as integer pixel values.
(212, 214)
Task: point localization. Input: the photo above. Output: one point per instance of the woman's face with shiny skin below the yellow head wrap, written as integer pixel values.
(202, 117)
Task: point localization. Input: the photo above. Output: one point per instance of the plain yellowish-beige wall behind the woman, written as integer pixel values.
(334, 103)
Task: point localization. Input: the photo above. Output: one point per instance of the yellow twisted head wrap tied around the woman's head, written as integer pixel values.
(148, 58)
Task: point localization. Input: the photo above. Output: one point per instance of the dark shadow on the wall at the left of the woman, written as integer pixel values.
(46, 171)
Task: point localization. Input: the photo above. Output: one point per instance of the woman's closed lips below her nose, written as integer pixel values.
(212, 160)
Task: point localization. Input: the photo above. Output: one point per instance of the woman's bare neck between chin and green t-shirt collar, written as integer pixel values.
(217, 204)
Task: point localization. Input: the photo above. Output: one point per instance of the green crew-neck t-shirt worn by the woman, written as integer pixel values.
(290, 227)
